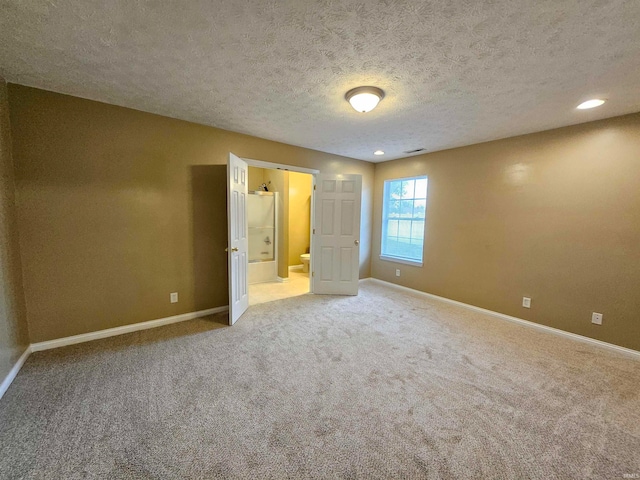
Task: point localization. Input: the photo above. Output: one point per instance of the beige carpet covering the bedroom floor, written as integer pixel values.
(383, 385)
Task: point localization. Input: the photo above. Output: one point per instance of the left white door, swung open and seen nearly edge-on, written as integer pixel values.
(237, 173)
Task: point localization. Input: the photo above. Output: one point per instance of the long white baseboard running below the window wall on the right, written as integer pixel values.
(574, 336)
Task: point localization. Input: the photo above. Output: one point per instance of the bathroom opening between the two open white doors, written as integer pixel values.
(288, 243)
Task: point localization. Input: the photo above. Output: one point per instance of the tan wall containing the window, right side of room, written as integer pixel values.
(554, 216)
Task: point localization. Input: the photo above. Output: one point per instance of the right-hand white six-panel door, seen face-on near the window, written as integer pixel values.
(335, 260)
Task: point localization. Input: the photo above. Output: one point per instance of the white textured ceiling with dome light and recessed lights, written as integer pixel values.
(454, 72)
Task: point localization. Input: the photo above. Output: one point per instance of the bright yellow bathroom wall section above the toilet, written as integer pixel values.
(300, 185)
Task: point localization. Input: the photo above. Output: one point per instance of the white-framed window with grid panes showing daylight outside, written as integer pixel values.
(403, 216)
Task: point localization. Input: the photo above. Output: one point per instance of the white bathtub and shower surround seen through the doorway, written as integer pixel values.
(262, 221)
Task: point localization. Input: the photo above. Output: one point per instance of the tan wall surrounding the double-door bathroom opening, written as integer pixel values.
(115, 210)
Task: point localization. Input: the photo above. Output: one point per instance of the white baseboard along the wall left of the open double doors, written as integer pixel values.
(112, 332)
